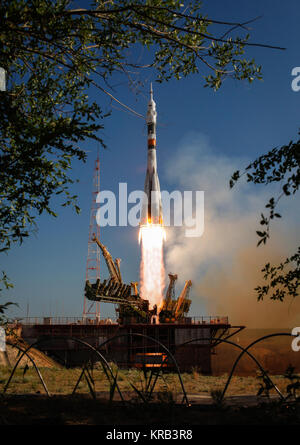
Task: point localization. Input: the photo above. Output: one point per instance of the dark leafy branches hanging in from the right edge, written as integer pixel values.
(278, 165)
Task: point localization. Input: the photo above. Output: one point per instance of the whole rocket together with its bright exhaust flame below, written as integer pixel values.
(152, 233)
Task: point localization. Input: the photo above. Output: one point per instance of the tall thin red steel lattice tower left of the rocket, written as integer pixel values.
(92, 309)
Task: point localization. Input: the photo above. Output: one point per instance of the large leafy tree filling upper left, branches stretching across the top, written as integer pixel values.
(54, 53)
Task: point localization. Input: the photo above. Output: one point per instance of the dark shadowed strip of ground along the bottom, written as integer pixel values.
(80, 410)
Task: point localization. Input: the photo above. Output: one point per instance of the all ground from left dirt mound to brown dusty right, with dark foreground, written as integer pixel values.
(25, 401)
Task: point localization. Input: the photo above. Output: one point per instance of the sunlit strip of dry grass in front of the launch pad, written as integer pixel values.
(62, 381)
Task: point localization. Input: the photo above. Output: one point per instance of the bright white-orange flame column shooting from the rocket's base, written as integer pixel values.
(152, 270)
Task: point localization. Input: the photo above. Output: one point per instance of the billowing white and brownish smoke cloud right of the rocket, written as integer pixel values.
(224, 264)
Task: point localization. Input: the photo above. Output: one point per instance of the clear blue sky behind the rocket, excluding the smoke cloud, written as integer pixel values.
(239, 122)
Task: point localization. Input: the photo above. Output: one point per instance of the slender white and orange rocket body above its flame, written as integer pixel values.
(151, 207)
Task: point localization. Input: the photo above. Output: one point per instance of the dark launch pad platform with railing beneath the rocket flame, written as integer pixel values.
(139, 345)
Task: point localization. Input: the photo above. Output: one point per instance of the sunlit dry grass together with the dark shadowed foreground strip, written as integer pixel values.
(25, 402)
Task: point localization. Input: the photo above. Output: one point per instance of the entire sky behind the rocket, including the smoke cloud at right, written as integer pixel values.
(202, 137)
